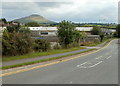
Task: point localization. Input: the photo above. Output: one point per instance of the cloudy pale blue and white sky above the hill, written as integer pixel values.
(91, 11)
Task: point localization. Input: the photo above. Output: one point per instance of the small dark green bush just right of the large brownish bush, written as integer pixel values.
(41, 45)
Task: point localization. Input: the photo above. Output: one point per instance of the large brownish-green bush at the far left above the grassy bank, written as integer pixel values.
(16, 43)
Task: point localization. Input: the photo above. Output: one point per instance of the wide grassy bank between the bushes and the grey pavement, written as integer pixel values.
(37, 54)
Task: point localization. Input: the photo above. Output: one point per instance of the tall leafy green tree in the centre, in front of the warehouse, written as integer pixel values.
(66, 33)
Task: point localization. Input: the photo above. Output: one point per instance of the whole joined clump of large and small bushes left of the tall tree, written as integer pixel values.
(17, 40)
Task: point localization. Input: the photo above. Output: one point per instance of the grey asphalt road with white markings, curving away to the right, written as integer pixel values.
(96, 68)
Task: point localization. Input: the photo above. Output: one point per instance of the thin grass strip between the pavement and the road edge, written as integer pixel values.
(43, 60)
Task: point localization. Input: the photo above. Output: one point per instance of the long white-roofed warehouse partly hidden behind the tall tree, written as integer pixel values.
(52, 31)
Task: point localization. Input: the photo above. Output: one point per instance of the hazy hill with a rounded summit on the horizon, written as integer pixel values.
(34, 18)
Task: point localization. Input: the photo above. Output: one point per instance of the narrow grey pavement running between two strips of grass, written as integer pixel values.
(14, 62)
